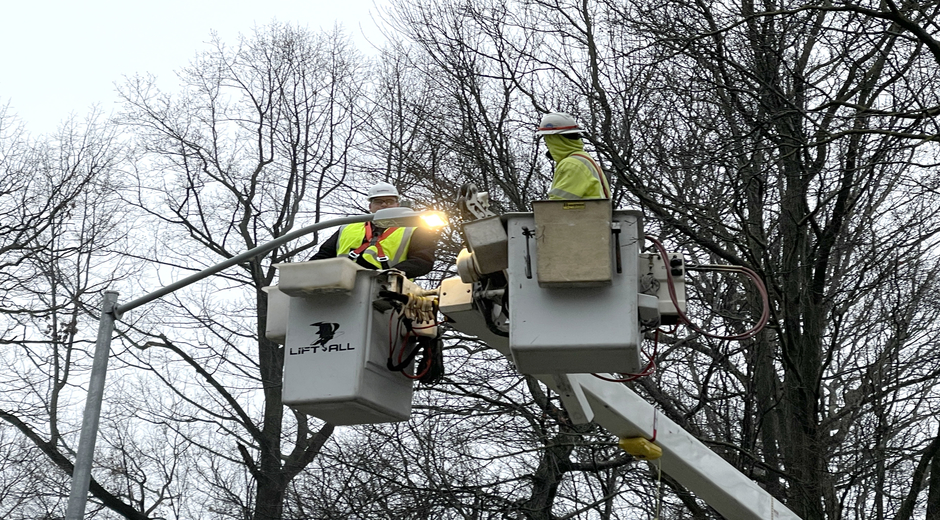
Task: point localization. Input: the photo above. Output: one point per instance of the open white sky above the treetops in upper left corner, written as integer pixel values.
(60, 57)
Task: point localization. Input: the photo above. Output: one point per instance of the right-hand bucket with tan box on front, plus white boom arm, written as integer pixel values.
(552, 302)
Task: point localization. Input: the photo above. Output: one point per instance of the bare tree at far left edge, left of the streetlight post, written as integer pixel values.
(62, 229)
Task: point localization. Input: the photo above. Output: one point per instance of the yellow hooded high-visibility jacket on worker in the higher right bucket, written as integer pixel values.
(577, 175)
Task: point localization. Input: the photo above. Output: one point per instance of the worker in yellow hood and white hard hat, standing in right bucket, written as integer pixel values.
(577, 175)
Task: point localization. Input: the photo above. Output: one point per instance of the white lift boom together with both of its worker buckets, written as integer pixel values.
(561, 292)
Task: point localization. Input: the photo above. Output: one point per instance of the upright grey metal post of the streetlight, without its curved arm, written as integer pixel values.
(81, 475)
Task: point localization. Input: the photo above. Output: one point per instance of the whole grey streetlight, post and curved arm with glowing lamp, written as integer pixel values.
(111, 311)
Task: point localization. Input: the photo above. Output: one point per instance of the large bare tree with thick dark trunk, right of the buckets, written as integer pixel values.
(819, 186)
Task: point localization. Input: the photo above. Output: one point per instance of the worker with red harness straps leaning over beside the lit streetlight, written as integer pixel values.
(410, 250)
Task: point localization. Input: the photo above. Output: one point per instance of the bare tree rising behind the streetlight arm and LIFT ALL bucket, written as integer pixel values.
(256, 144)
